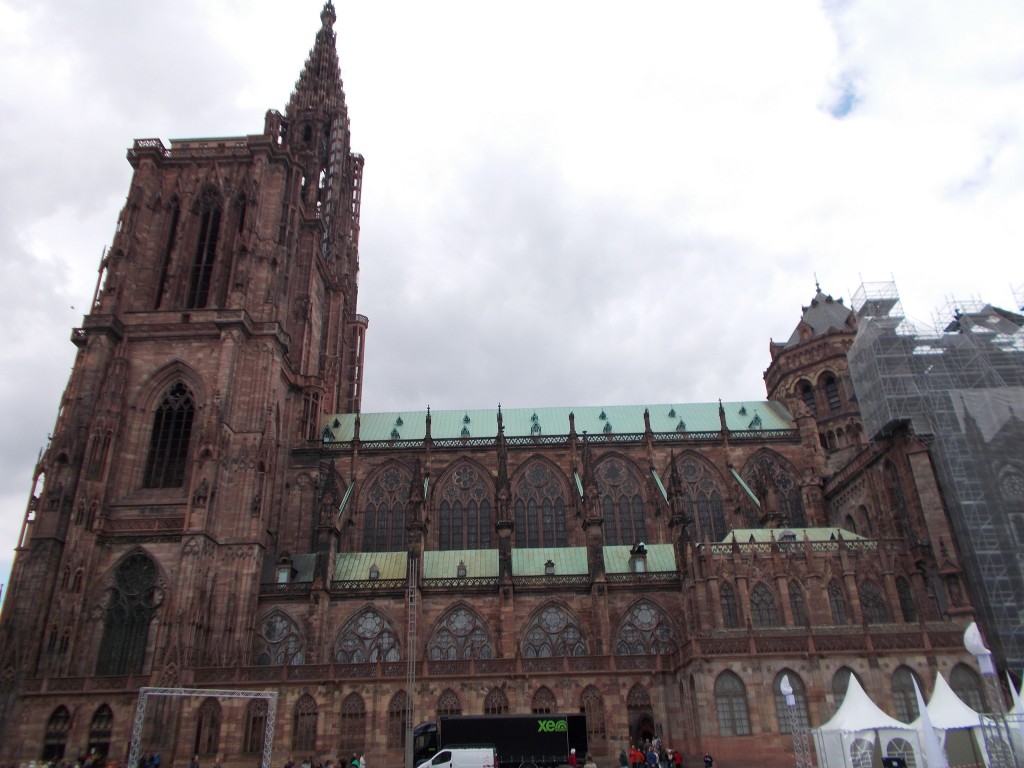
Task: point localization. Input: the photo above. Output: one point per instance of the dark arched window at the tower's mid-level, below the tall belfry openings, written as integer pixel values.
(168, 456)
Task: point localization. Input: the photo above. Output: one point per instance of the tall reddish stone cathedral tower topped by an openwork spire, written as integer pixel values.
(224, 324)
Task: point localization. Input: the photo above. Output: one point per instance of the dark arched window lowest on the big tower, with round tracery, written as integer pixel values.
(132, 603)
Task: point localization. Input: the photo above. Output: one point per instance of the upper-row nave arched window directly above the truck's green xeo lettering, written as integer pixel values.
(540, 507)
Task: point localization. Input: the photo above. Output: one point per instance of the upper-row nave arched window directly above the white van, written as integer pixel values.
(464, 514)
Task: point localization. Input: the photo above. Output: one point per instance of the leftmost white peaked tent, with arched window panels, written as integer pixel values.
(861, 734)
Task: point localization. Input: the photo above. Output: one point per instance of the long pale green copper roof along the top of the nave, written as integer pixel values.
(526, 422)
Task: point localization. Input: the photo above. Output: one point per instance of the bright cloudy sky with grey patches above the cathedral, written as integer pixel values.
(566, 203)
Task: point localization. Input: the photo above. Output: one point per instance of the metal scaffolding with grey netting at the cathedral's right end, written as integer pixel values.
(959, 385)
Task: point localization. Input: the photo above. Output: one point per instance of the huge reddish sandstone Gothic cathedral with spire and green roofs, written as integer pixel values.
(216, 513)
